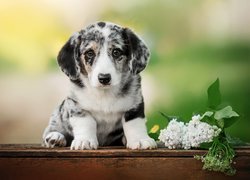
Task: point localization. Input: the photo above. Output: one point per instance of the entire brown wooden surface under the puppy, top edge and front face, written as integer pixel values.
(35, 162)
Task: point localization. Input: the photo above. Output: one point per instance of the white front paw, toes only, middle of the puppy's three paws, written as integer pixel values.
(80, 144)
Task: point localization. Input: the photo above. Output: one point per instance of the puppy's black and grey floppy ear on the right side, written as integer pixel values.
(139, 52)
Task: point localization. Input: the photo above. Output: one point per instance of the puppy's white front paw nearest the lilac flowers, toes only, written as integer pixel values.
(145, 143)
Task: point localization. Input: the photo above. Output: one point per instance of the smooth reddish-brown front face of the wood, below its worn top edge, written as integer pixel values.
(111, 168)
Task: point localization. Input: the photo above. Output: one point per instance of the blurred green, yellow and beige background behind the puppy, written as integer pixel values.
(192, 43)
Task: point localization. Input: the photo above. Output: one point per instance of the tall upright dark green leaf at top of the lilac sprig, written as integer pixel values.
(214, 95)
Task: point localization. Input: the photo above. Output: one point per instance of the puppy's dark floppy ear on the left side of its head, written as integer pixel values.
(68, 55)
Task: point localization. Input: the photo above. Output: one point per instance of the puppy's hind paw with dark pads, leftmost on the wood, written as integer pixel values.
(54, 139)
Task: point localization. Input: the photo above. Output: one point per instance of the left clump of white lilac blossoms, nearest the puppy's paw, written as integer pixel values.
(172, 135)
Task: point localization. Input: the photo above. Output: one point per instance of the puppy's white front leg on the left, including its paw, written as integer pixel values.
(84, 131)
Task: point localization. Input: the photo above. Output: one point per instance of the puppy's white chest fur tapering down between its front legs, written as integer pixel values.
(106, 108)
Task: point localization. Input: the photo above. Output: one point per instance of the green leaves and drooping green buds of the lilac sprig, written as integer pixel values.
(220, 151)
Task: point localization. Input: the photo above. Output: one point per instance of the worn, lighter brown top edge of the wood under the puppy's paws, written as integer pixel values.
(35, 150)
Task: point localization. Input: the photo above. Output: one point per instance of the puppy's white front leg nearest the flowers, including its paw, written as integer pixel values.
(136, 134)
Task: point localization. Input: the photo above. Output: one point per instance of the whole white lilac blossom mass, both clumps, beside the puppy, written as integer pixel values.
(192, 134)
